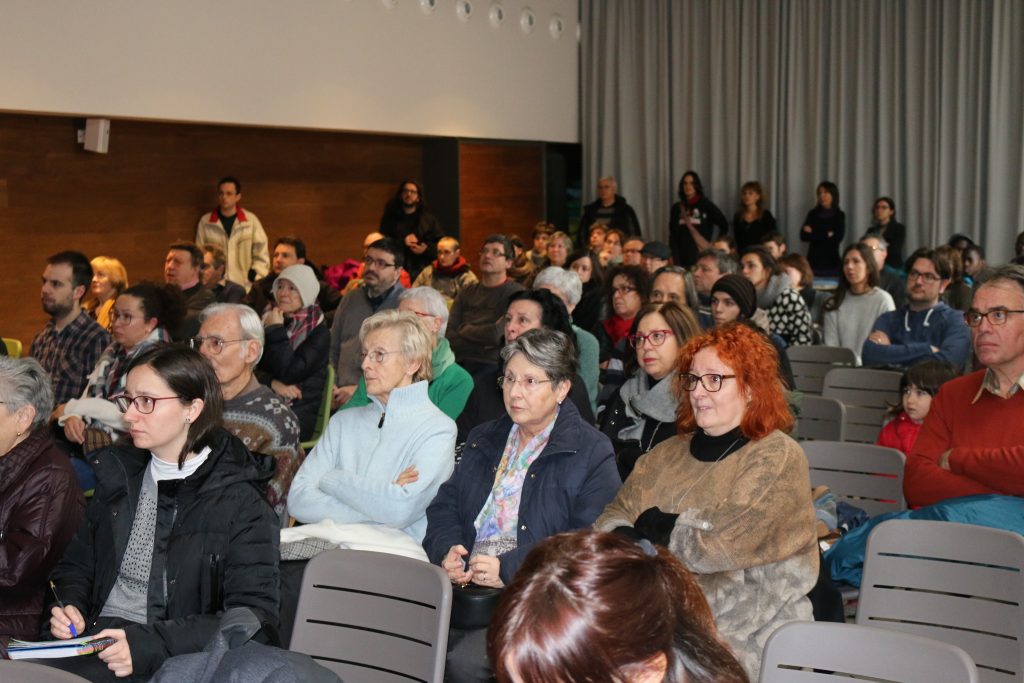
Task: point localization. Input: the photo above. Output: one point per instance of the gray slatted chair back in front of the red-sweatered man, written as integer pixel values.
(961, 584)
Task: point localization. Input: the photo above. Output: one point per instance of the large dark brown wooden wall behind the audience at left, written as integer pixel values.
(328, 188)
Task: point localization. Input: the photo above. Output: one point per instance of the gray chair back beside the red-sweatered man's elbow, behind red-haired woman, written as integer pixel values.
(870, 478)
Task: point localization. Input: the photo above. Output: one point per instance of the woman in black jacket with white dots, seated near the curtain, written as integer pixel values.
(788, 314)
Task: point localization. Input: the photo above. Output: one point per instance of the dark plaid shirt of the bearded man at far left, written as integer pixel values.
(69, 356)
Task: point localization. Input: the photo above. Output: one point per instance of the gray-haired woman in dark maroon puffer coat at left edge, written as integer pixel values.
(42, 504)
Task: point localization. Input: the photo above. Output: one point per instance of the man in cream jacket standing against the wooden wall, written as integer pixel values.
(238, 233)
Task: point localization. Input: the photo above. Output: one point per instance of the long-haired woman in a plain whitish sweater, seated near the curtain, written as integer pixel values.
(858, 303)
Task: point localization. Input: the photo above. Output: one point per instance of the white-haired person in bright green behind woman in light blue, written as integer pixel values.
(451, 385)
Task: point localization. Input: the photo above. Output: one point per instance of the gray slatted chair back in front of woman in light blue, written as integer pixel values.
(375, 618)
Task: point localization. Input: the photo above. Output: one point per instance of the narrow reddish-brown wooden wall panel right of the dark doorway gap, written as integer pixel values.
(501, 191)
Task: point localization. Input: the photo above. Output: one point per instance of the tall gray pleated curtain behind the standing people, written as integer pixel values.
(922, 101)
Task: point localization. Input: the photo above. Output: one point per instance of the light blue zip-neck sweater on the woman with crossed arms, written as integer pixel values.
(350, 476)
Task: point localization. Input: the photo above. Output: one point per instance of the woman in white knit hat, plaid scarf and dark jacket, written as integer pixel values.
(297, 348)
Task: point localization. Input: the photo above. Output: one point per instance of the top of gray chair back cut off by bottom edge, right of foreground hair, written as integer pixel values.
(823, 653)
